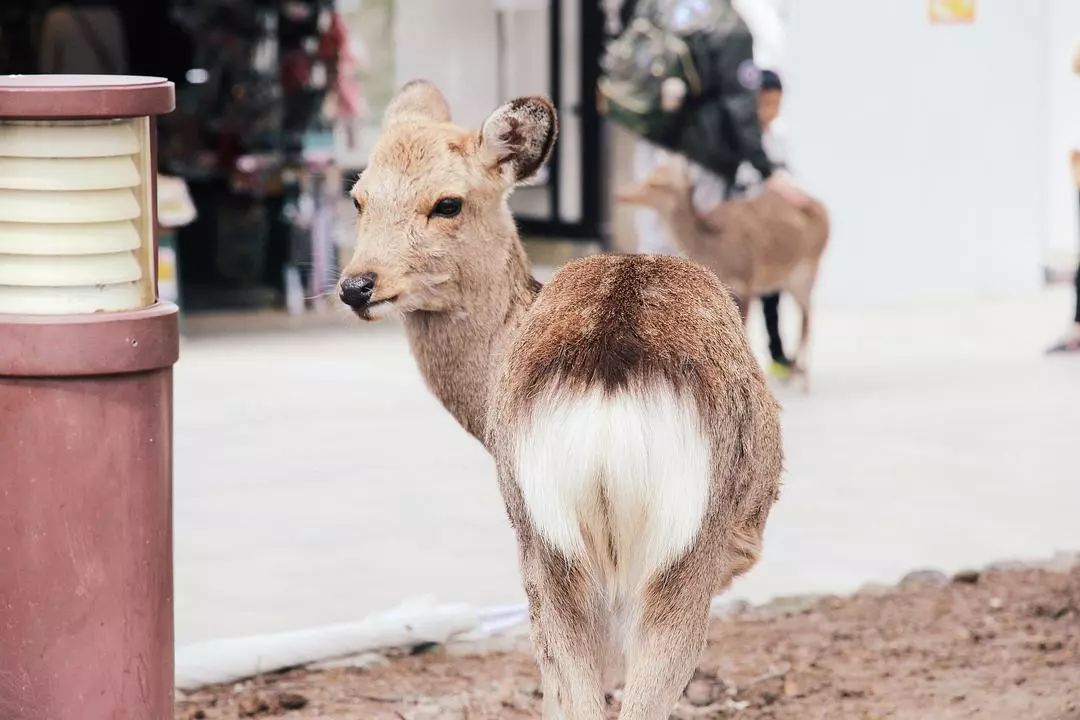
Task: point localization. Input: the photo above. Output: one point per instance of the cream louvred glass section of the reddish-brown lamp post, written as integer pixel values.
(76, 216)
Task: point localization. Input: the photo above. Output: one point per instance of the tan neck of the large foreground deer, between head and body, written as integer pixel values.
(460, 352)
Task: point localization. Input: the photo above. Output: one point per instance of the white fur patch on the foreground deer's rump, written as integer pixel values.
(620, 479)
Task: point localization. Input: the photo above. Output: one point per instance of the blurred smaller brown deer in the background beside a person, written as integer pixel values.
(755, 246)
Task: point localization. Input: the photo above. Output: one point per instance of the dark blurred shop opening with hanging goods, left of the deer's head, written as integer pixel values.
(252, 139)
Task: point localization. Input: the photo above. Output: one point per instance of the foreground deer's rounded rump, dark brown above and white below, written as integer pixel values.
(627, 410)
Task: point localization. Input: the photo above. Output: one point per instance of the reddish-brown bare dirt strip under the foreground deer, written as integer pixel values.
(997, 645)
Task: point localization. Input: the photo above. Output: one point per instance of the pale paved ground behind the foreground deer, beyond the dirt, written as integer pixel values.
(318, 482)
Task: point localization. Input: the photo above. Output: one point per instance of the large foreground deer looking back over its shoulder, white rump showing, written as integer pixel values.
(637, 443)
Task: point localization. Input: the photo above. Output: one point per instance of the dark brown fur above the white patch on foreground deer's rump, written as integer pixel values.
(612, 320)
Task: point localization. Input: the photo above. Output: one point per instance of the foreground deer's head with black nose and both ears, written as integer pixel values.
(433, 216)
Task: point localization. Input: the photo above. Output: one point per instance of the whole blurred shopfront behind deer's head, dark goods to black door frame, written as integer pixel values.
(279, 103)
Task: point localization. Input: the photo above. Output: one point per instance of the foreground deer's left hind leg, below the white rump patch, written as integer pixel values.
(570, 634)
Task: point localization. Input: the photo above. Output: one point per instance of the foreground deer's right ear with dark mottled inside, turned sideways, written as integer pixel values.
(519, 137)
